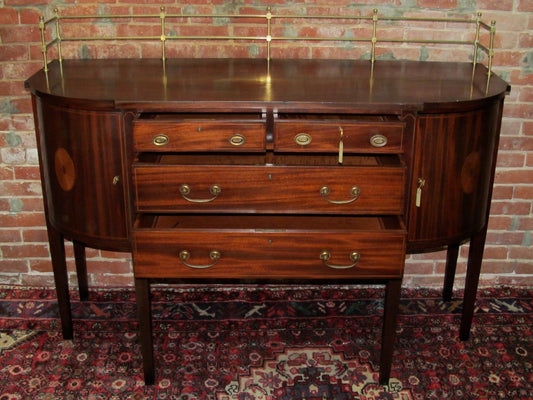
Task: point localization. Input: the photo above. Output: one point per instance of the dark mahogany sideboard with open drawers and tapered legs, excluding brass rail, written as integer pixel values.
(302, 170)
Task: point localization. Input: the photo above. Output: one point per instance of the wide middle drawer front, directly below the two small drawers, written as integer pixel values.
(365, 189)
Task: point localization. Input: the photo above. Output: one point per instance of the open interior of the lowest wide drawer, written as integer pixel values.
(268, 223)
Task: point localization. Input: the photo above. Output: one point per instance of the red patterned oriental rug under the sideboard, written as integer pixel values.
(267, 342)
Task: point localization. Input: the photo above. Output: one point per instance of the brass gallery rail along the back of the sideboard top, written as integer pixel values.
(56, 36)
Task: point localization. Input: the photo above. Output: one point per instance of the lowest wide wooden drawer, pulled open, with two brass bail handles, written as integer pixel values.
(299, 247)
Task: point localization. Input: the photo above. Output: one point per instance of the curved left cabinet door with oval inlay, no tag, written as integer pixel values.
(83, 174)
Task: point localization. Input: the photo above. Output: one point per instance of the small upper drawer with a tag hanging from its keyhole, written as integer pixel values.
(369, 135)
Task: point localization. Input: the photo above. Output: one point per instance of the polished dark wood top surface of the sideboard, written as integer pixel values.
(258, 84)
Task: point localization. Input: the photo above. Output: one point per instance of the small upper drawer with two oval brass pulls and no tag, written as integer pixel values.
(205, 133)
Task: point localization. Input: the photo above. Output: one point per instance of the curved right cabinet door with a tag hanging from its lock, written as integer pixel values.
(452, 175)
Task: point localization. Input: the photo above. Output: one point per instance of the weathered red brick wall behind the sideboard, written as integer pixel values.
(24, 257)
